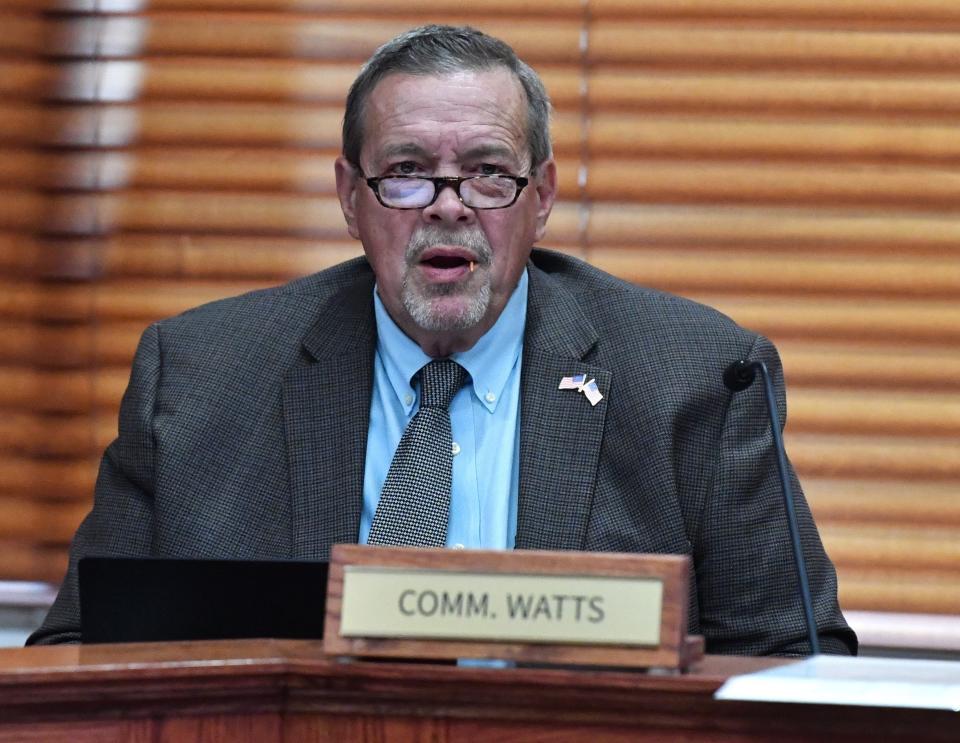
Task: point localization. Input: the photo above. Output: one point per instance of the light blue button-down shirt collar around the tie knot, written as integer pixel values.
(489, 362)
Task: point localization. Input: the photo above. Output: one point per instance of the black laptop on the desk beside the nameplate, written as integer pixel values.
(148, 600)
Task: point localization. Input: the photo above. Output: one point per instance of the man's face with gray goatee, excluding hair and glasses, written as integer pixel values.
(446, 269)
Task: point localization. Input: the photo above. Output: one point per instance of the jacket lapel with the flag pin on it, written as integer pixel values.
(560, 431)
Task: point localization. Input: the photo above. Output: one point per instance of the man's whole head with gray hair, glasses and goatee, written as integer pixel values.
(442, 102)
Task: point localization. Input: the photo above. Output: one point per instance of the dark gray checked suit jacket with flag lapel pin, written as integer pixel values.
(243, 434)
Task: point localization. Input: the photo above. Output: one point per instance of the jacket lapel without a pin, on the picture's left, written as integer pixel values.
(326, 408)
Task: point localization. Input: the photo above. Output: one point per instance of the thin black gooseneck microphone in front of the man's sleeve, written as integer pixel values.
(738, 376)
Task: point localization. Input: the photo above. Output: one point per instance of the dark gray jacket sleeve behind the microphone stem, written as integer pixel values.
(746, 580)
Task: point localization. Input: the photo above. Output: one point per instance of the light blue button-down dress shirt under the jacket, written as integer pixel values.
(484, 416)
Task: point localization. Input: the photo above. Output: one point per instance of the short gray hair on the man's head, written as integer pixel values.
(439, 50)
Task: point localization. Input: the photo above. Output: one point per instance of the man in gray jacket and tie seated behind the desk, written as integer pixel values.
(273, 425)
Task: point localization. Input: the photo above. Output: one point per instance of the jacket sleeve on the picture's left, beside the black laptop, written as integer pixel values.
(121, 522)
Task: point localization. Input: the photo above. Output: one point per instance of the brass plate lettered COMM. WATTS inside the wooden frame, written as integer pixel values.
(506, 607)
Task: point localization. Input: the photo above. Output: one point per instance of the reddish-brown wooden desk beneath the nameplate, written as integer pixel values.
(270, 691)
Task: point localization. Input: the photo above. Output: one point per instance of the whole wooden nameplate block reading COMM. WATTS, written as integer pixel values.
(598, 609)
